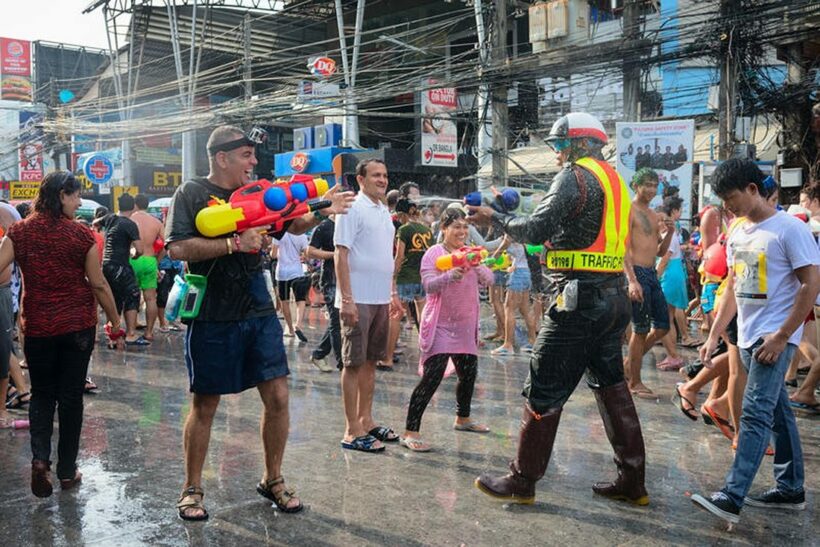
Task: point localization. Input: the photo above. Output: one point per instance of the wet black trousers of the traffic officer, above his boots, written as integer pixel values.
(571, 343)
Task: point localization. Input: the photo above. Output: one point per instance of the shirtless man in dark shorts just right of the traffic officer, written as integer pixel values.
(648, 303)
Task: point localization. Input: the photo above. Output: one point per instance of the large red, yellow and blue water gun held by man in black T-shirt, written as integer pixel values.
(263, 203)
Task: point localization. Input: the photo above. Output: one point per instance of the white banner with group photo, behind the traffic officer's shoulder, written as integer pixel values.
(666, 147)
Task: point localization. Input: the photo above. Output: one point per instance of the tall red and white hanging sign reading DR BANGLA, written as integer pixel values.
(439, 134)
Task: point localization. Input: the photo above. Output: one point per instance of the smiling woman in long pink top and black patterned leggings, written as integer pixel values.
(448, 331)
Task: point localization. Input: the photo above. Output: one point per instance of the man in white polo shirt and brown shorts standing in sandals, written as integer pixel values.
(365, 296)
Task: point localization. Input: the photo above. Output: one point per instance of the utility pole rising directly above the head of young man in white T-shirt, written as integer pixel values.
(728, 74)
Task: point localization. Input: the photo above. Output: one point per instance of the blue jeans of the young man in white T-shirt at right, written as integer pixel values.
(766, 415)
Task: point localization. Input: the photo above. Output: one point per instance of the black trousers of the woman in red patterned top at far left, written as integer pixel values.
(57, 368)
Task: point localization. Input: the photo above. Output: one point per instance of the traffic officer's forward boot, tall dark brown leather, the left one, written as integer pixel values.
(534, 450)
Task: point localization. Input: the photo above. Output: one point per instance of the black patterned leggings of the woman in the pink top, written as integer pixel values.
(434, 367)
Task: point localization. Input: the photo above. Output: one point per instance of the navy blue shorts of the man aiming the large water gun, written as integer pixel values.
(231, 356)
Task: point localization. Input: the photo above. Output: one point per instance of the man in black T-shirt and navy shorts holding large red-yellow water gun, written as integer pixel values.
(235, 341)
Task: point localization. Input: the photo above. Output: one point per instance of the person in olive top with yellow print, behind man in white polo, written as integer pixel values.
(412, 240)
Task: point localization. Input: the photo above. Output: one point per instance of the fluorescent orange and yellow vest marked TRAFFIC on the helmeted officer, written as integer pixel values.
(606, 254)
